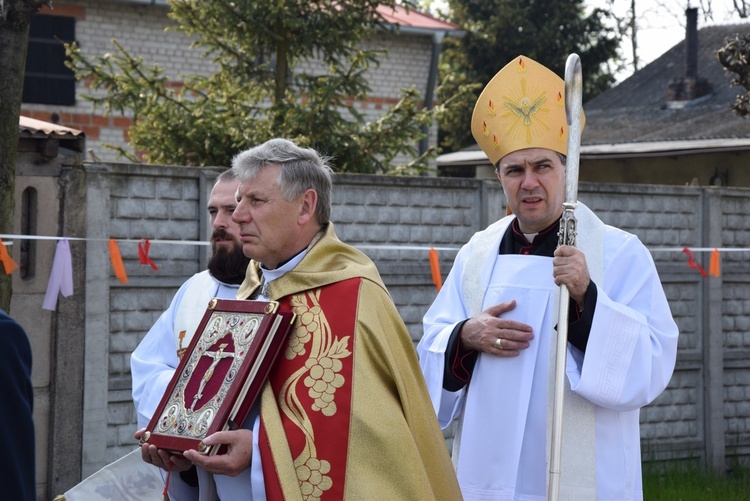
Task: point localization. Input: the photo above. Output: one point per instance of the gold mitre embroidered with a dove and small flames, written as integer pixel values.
(522, 107)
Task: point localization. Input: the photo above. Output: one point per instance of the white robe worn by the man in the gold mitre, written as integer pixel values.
(629, 360)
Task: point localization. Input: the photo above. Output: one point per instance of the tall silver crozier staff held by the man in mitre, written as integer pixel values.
(567, 236)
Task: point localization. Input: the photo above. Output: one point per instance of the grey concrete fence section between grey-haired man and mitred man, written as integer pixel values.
(408, 215)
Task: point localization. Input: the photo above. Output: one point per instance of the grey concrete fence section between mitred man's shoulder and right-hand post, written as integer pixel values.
(672, 426)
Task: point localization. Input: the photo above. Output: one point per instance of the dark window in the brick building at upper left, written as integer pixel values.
(47, 79)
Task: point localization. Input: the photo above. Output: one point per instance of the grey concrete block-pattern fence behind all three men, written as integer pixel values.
(704, 411)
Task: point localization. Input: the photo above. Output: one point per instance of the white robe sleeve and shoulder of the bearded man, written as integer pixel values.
(154, 361)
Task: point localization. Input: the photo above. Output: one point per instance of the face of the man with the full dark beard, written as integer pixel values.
(227, 263)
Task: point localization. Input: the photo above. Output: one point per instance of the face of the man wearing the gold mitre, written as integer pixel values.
(534, 183)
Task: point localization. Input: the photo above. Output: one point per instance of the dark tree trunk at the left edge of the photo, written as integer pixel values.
(15, 17)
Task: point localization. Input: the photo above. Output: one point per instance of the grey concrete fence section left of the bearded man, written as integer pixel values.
(158, 204)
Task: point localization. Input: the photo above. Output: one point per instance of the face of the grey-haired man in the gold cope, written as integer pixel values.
(270, 227)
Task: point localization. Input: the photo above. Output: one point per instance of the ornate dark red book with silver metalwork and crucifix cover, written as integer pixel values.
(221, 374)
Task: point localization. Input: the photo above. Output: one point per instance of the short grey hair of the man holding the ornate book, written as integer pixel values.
(301, 169)
